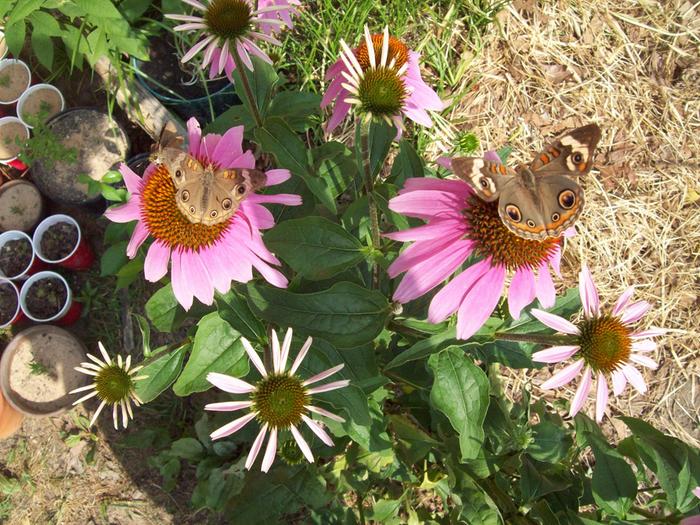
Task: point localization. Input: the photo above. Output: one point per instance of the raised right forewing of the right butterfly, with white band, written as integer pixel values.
(570, 154)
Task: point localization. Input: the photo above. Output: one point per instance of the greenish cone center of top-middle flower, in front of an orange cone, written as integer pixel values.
(382, 92)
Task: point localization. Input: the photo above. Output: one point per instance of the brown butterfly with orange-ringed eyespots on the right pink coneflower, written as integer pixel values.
(539, 200)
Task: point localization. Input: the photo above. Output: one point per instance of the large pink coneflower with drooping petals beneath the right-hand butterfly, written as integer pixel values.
(461, 225)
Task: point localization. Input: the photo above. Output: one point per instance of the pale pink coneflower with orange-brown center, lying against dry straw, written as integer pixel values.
(606, 346)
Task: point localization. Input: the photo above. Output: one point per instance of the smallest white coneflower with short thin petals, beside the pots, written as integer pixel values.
(114, 384)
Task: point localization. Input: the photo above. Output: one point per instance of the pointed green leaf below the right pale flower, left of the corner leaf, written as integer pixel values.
(614, 485)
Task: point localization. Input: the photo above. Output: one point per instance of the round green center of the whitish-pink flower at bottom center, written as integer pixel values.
(280, 399)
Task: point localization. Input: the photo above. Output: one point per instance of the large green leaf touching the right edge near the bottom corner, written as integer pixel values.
(676, 465)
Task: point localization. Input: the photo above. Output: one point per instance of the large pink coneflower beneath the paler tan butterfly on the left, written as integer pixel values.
(204, 258)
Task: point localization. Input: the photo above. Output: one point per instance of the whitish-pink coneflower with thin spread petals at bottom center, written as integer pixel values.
(280, 400)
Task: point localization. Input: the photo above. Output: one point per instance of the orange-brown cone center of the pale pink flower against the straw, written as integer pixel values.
(605, 343)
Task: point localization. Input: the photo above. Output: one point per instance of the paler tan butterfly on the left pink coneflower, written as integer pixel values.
(204, 193)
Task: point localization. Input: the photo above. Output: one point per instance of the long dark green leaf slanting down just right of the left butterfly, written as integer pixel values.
(291, 153)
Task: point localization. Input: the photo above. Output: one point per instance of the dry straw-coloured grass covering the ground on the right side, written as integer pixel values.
(632, 67)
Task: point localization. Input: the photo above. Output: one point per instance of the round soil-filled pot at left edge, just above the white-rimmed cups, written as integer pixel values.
(21, 206)
